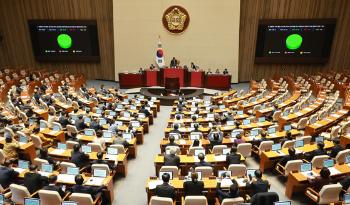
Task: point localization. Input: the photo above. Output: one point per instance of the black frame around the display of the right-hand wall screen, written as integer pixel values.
(259, 48)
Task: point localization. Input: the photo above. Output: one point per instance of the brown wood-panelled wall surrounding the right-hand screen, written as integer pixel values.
(253, 10)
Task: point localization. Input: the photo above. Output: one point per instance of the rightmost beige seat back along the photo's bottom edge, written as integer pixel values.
(330, 193)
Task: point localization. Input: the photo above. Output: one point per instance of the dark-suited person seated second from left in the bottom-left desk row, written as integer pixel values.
(33, 180)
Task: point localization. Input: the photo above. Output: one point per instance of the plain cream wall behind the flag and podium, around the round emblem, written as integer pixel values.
(210, 41)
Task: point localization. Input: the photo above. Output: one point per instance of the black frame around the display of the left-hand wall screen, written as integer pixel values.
(61, 59)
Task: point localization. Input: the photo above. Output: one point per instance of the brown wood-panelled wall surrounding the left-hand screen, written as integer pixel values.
(16, 48)
